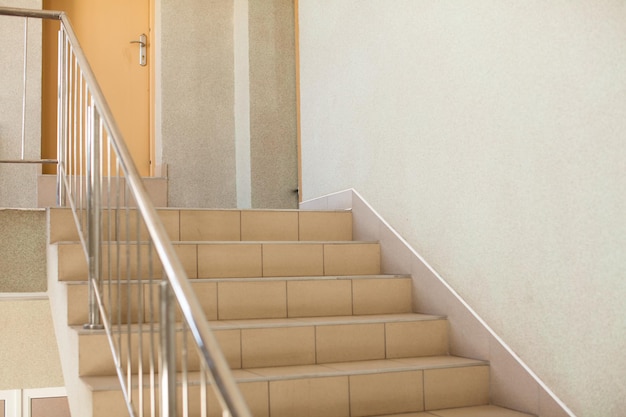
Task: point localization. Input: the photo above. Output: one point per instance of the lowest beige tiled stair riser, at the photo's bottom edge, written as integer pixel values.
(343, 396)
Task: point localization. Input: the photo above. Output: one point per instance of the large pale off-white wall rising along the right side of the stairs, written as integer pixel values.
(490, 135)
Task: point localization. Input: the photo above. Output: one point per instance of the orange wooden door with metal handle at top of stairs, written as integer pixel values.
(106, 30)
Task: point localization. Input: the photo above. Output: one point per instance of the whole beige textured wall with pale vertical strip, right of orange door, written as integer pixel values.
(200, 91)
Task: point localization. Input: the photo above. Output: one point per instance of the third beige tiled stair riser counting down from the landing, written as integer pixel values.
(265, 298)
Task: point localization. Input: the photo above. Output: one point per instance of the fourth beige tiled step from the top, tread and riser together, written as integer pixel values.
(286, 342)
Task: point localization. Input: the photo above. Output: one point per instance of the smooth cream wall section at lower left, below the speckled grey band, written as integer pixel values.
(32, 349)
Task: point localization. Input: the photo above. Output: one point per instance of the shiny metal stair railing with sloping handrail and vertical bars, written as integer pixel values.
(70, 188)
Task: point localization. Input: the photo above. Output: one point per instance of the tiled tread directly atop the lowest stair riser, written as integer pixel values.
(107, 383)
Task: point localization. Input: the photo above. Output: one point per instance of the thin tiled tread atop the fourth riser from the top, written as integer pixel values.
(293, 322)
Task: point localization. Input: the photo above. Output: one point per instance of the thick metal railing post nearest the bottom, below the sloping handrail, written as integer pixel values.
(167, 350)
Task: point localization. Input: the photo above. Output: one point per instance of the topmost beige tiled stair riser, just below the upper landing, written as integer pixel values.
(217, 225)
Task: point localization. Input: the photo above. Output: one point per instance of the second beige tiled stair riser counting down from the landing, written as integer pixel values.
(229, 259)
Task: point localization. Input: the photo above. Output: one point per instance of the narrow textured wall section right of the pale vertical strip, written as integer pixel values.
(274, 163)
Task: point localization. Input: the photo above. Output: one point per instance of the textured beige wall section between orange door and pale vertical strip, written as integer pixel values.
(196, 127)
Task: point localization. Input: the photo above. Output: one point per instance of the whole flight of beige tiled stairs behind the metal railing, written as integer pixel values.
(304, 316)
